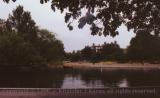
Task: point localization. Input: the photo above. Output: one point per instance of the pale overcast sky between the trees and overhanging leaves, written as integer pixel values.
(54, 21)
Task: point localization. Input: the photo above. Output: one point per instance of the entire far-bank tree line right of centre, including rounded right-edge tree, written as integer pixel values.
(145, 47)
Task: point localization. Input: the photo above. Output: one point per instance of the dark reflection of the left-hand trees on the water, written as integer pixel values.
(32, 79)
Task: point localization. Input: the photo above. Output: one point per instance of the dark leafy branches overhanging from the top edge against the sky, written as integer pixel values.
(105, 16)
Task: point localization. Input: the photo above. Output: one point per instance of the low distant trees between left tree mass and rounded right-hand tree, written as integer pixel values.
(105, 52)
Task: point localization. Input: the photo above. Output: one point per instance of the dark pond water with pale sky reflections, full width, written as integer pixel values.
(80, 78)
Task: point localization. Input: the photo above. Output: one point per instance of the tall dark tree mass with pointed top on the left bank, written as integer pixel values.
(24, 45)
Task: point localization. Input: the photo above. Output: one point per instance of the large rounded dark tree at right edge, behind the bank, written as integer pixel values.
(144, 47)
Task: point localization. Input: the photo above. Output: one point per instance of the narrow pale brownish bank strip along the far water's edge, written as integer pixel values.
(113, 65)
